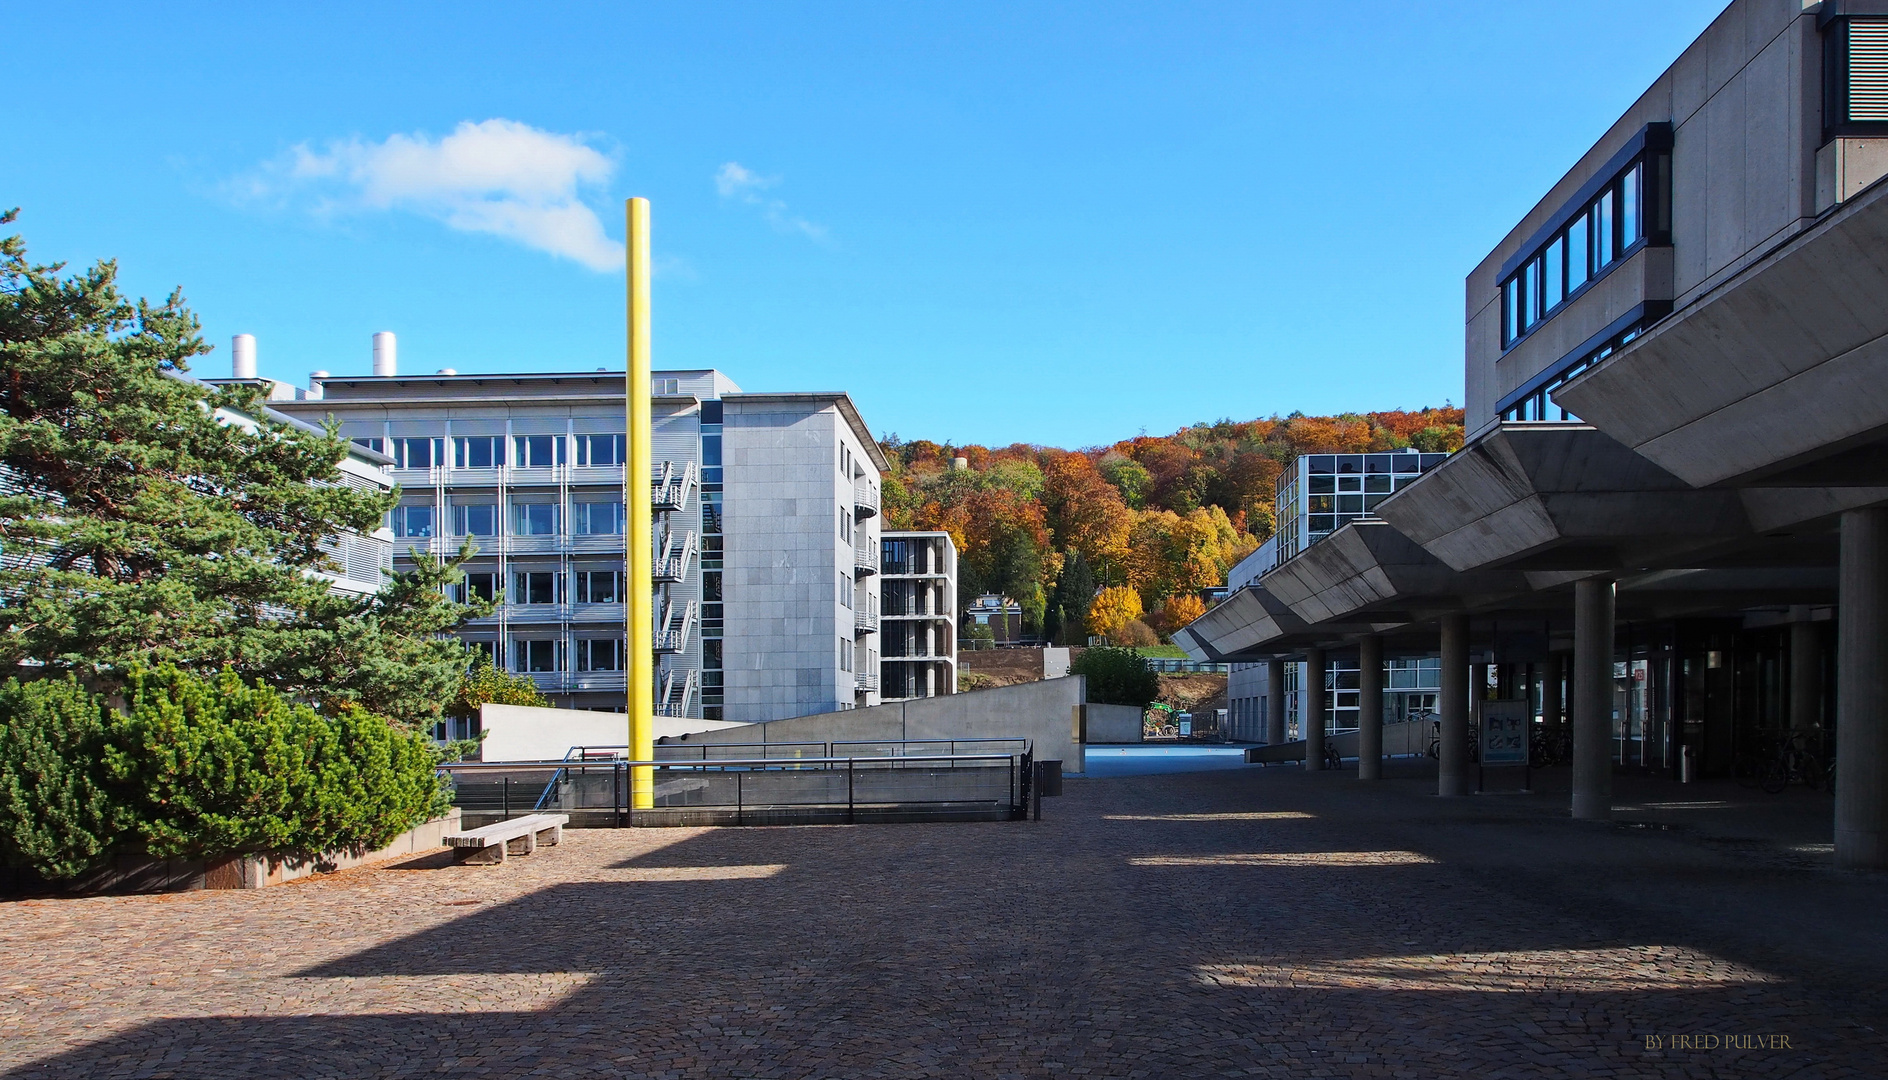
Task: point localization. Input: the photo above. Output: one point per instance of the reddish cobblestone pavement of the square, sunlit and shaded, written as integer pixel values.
(1226, 924)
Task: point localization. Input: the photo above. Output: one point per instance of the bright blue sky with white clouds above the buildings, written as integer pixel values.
(1056, 224)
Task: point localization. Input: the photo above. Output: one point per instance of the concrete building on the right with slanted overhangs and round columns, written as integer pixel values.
(1670, 518)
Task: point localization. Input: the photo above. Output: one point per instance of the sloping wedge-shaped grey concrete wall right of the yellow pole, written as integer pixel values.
(1037, 711)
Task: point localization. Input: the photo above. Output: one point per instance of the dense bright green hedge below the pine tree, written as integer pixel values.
(199, 769)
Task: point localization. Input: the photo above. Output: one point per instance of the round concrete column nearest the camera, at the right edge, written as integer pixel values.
(1863, 692)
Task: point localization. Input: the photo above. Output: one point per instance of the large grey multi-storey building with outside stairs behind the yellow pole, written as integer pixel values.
(766, 530)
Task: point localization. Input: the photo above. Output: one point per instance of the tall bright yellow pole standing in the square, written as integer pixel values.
(639, 537)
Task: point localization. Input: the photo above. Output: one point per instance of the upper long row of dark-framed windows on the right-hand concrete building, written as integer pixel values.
(1596, 239)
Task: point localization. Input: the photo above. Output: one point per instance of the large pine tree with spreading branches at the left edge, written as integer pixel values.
(141, 528)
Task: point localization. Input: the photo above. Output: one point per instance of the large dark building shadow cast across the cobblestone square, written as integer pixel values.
(1153, 928)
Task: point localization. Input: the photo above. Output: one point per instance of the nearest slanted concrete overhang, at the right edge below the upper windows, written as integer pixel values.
(1779, 377)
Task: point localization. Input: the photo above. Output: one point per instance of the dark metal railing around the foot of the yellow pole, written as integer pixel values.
(758, 788)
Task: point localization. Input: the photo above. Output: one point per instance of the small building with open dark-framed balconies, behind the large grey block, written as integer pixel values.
(919, 599)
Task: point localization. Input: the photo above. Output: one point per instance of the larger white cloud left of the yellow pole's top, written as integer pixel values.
(497, 177)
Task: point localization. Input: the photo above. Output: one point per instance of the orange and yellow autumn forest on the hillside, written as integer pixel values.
(1124, 541)
